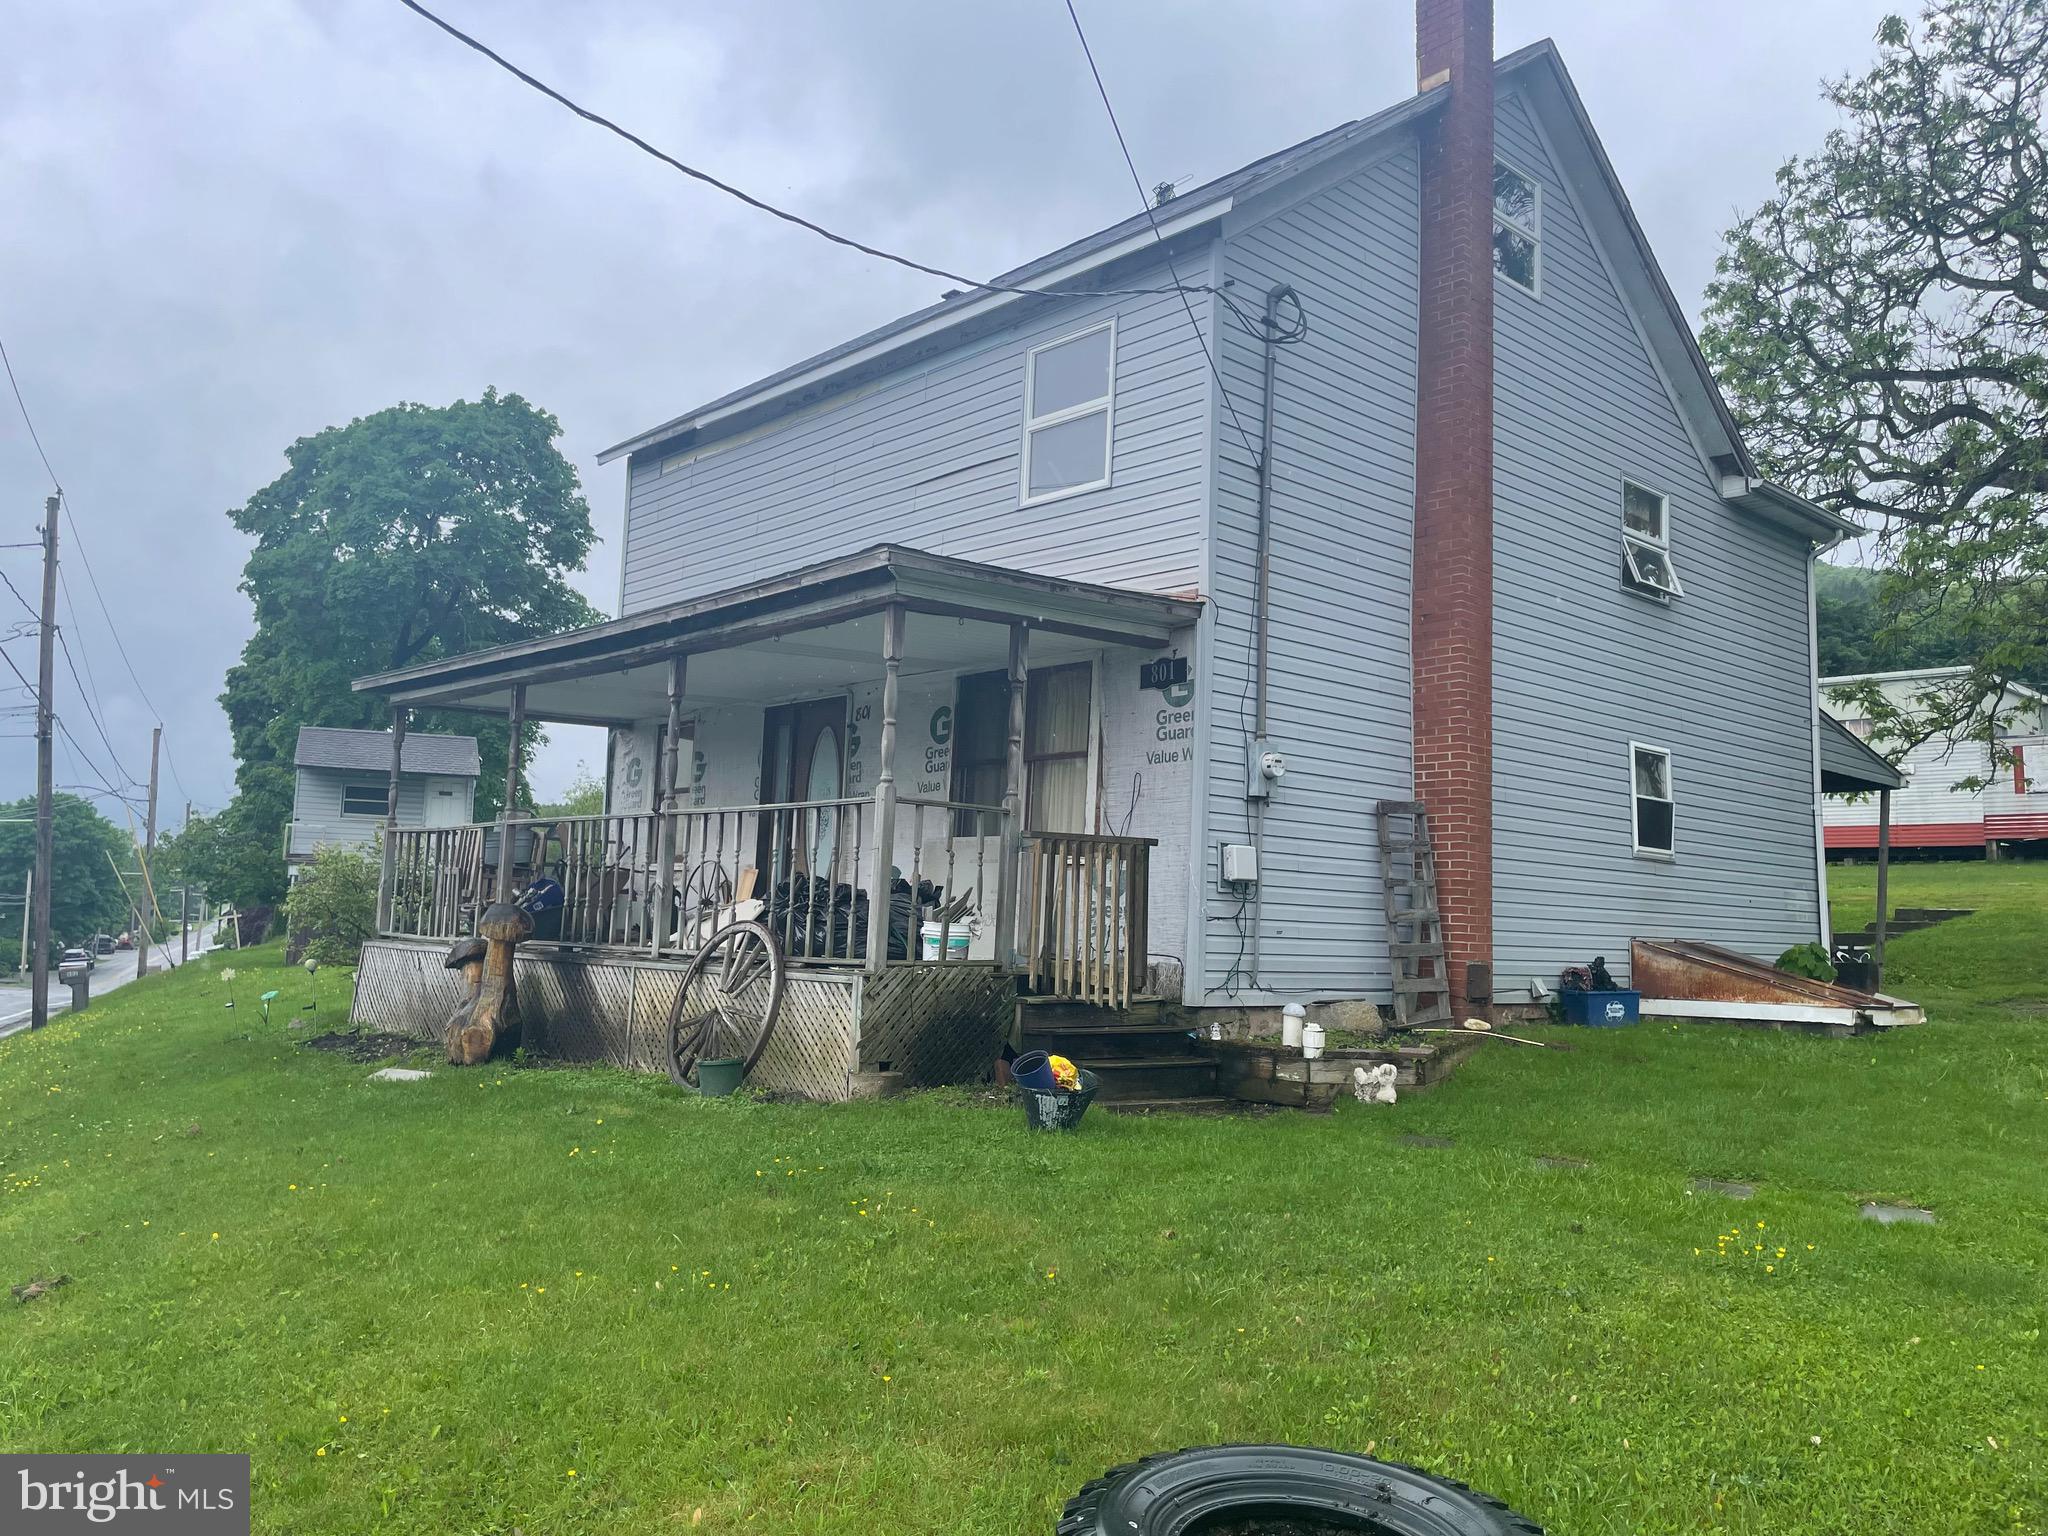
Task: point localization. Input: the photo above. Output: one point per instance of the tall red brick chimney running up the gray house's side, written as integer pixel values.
(1453, 572)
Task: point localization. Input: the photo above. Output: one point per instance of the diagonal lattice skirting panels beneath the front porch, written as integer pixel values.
(937, 1025)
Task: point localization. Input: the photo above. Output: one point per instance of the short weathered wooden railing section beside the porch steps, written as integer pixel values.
(1089, 900)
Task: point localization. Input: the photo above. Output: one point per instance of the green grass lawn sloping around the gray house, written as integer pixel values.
(577, 1302)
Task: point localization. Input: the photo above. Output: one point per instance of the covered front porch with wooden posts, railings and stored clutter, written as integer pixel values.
(882, 759)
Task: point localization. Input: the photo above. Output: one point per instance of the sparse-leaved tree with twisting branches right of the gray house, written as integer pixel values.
(1881, 329)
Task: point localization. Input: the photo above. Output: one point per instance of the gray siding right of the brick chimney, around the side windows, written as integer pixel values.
(1584, 667)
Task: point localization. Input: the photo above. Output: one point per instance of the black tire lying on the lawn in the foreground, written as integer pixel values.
(1181, 1492)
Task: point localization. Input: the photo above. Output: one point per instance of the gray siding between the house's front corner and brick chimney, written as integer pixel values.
(1342, 513)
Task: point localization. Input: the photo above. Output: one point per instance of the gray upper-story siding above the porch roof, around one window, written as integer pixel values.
(931, 460)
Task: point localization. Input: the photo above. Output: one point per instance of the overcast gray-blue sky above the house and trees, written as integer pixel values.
(226, 224)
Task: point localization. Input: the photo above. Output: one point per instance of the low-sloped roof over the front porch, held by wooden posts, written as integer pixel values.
(804, 634)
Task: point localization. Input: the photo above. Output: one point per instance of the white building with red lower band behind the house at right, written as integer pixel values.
(1930, 810)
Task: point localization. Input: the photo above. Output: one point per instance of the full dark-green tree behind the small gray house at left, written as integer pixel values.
(409, 536)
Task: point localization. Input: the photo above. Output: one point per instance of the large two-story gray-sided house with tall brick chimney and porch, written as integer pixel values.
(1506, 554)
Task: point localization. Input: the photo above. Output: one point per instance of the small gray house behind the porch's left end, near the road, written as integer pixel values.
(345, 775)
